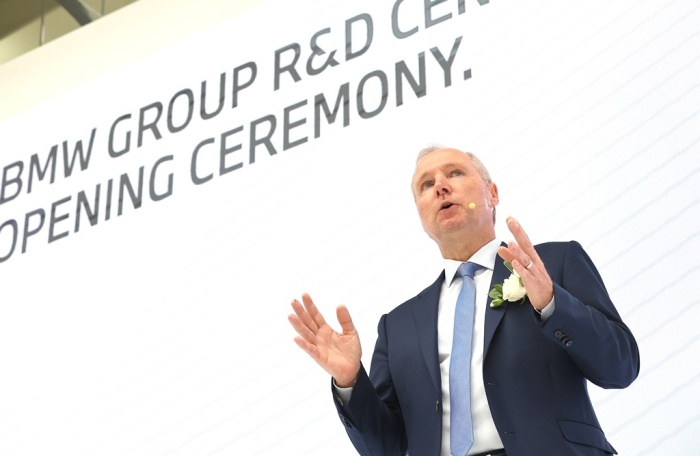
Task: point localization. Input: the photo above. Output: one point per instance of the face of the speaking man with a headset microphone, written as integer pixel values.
(444, 184)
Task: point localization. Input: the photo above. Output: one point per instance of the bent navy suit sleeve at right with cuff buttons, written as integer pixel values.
(587, 325)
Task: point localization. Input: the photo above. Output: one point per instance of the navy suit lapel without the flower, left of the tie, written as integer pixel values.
(425, 311)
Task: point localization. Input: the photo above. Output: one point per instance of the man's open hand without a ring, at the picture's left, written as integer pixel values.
(338, 354)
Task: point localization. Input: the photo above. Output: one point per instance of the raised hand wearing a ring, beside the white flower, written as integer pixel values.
(526, 262)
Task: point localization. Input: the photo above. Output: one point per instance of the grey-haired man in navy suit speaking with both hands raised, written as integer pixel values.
(530, 359)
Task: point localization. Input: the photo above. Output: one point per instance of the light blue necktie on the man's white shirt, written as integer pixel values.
(461, 429)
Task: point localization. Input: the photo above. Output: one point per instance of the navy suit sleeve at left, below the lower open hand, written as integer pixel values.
(372, 417)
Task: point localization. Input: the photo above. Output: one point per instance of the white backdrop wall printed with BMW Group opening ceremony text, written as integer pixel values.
(161, 329)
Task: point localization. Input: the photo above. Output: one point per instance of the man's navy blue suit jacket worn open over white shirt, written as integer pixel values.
(535, 373)
